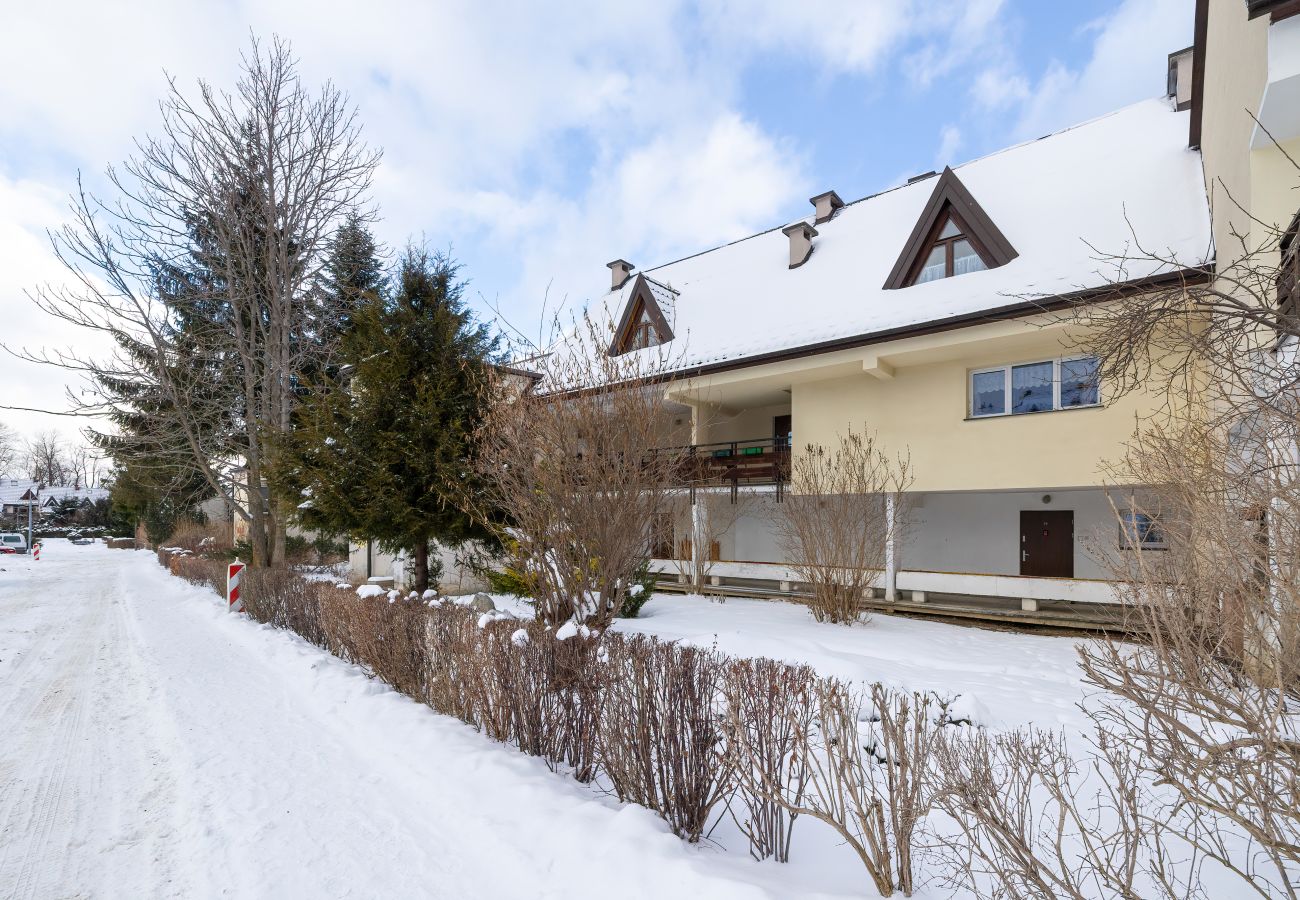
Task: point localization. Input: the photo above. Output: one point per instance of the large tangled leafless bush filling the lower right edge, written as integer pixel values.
(1208, 704)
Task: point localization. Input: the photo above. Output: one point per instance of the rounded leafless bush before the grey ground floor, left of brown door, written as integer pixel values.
(843, 512)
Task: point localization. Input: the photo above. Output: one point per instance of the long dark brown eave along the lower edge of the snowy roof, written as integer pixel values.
(1191, 276)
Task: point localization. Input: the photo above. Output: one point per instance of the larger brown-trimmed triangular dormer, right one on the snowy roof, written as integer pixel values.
(954, 236)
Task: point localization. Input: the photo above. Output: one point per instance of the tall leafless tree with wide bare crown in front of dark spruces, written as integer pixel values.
(203, 274)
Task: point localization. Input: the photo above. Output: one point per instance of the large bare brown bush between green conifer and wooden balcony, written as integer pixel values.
(575, 465)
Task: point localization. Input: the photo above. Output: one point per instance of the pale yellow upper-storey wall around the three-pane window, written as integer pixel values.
(922, 410)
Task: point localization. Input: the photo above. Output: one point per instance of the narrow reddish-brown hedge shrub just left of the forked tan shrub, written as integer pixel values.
(770, 709)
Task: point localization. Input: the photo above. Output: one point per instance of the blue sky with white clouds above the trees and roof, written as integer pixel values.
(540, 141)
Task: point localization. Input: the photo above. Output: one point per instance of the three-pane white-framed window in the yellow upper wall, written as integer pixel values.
(1067, 383)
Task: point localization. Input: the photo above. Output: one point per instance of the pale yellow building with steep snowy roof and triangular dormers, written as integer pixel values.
(938, 317)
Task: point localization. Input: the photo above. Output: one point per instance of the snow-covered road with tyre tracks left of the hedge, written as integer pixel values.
(153, 746)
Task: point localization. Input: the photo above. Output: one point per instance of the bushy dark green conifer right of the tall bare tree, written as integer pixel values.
(384, 453)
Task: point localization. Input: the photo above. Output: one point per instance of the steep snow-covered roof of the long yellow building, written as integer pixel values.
(1060, 201)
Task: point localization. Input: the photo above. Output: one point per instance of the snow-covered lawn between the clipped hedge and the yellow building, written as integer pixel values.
(1002, 680)
